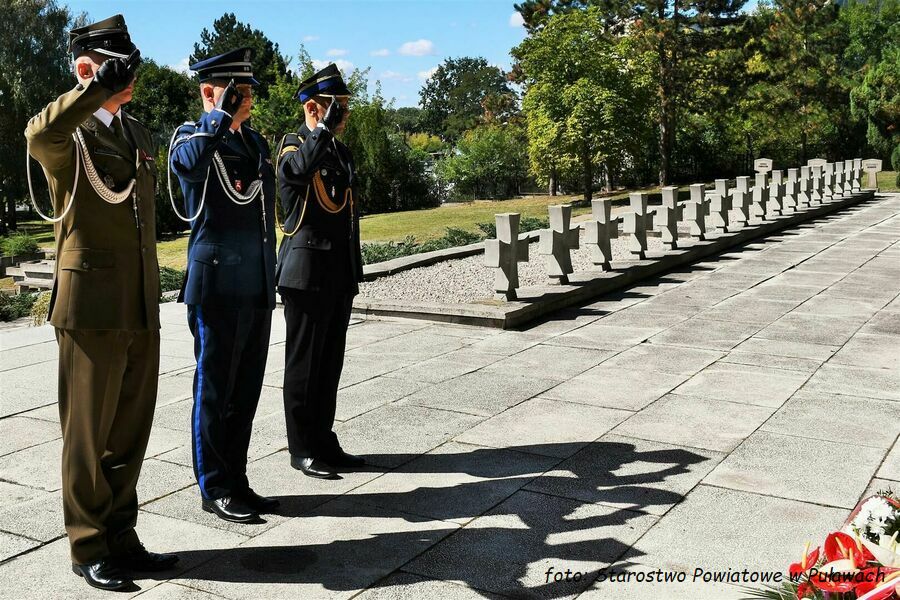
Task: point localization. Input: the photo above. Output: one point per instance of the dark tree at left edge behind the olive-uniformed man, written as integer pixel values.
(34, 69)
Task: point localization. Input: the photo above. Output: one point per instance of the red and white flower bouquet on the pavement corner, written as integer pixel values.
(859, 562)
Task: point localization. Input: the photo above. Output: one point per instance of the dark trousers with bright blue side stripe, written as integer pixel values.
(231, 347)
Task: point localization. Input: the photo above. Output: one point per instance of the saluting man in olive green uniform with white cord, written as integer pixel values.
(104, 305)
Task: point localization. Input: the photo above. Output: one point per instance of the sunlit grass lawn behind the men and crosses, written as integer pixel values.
(422, 224)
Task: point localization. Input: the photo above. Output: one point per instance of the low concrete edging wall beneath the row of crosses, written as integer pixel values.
(584, 286)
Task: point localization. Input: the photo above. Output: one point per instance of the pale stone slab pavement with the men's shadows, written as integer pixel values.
(715, 418)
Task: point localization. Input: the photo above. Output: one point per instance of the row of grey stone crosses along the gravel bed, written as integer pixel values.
(721, 209)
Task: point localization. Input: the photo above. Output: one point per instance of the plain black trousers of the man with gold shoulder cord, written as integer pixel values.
(316, 336)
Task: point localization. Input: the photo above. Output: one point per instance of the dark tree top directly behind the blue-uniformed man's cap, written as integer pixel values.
(229, 34)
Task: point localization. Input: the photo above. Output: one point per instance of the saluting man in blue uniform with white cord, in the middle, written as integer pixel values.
(228, 182)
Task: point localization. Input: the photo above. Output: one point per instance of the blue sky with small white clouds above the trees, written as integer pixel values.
(401, 40)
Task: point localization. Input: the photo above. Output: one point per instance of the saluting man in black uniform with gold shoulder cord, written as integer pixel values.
(319, 267)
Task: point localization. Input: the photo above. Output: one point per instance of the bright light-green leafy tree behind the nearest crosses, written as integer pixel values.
(587, 100)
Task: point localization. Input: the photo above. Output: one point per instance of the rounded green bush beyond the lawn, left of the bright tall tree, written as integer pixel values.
(490, 161)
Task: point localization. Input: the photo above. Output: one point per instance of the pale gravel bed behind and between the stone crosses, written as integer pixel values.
(469, 280)
